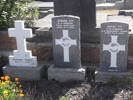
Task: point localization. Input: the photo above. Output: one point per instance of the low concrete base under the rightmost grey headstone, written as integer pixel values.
(106, 76)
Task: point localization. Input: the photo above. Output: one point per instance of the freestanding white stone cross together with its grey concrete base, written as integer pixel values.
(22, 64)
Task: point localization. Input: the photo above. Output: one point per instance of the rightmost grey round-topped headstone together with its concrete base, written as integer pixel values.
(113, 52)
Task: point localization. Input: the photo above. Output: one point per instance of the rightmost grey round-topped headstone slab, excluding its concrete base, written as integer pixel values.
(114, 46)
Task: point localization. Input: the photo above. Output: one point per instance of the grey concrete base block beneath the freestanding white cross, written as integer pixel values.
(24, 73)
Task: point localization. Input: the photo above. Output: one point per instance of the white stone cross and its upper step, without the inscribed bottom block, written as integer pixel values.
(21, 34)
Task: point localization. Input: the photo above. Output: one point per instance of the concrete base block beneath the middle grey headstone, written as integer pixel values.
(66, 74)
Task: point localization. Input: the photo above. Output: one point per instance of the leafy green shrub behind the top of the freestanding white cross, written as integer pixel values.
(11, 10)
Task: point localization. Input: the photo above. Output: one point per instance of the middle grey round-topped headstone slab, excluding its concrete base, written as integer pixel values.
(66, 41)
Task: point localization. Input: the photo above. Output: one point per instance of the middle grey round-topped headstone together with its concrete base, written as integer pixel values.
(66, 49)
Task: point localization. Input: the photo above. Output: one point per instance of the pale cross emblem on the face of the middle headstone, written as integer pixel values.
(66, 42)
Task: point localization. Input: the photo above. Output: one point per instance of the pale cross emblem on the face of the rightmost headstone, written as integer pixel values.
(114, 47)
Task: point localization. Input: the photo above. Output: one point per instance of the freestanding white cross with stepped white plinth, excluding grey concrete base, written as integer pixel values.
(22, 57)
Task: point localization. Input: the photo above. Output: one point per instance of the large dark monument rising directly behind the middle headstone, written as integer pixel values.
(85, 9)
